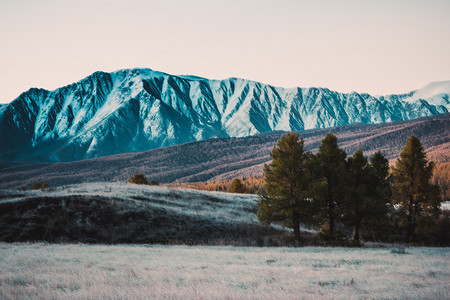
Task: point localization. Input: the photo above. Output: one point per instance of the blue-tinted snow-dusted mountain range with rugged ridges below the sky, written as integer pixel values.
(140, 109)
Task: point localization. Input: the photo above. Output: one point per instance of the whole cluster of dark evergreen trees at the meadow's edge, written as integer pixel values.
(353, 196)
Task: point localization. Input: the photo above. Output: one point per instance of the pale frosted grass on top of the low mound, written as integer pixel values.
(206, 204)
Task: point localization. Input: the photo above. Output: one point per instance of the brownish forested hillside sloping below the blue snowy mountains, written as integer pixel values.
(227, 158)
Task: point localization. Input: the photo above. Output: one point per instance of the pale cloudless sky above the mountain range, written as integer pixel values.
(376, 46)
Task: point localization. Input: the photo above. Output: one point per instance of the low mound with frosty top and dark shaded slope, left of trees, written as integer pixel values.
(120, 213)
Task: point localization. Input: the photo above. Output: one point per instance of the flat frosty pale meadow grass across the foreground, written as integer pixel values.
(79, 271)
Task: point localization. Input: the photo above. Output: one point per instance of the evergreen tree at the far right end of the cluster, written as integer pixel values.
(417, 198)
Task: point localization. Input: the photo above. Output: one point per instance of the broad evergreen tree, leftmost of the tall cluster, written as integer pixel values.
(286, 184)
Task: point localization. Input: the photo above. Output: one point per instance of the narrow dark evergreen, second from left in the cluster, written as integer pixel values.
(329, 168)
